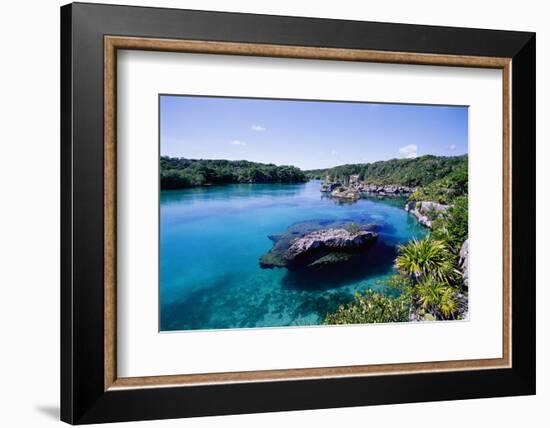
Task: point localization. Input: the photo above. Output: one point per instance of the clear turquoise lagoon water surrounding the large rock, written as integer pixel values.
(211, 239)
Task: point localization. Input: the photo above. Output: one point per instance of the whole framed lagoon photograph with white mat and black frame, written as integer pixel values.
(265, 213)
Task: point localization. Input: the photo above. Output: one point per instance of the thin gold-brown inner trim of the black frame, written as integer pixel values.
(113, 43)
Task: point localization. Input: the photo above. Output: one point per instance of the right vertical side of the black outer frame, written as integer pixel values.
(523, 220)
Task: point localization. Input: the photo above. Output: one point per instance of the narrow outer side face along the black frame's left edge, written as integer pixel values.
(66, 129)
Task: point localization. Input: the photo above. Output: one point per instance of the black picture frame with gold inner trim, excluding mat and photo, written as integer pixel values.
(91, 391)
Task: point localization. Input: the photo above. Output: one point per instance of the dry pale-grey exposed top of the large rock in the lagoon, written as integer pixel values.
(328, 239)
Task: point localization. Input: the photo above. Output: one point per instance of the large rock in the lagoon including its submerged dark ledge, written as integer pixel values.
(318, 244)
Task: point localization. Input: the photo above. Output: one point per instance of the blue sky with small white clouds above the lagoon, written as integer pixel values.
(307, 134)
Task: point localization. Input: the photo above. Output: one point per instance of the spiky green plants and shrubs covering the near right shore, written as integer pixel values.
(429, 283)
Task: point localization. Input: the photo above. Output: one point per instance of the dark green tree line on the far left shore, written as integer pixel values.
(180, 173)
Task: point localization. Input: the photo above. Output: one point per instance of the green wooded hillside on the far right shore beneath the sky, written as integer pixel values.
(419, 171)
